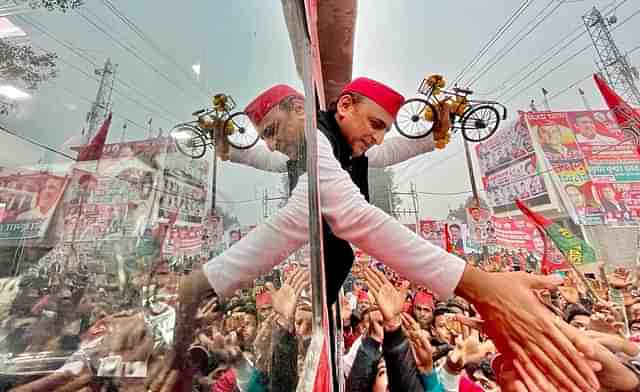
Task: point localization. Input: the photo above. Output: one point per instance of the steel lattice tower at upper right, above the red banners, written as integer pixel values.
(614, 66)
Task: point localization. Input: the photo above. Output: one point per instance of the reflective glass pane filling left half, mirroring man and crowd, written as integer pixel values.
(118, 215)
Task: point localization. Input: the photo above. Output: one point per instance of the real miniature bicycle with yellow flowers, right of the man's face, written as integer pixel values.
(478, 120)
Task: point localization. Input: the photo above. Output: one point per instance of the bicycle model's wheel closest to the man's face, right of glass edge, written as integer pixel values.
(411, 121)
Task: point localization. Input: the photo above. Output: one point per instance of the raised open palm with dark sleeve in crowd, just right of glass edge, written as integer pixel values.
(390, 300)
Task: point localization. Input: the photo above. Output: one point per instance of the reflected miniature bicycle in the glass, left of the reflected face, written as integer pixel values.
(192, 138)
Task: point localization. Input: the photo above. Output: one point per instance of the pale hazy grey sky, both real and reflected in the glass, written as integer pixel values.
(243, 47)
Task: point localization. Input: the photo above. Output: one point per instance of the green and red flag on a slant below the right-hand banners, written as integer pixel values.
(574, 249)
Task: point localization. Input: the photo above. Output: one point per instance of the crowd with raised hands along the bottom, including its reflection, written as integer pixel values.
(397, 336)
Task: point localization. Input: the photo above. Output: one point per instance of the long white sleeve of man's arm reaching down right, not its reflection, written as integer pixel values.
(372, 230)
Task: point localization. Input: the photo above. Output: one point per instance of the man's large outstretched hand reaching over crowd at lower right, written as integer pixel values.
(523, 328)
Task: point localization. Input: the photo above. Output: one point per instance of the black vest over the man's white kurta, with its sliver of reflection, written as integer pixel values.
(338, 255)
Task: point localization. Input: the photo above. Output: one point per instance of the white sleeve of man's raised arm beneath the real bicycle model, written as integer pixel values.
(398, 149)
